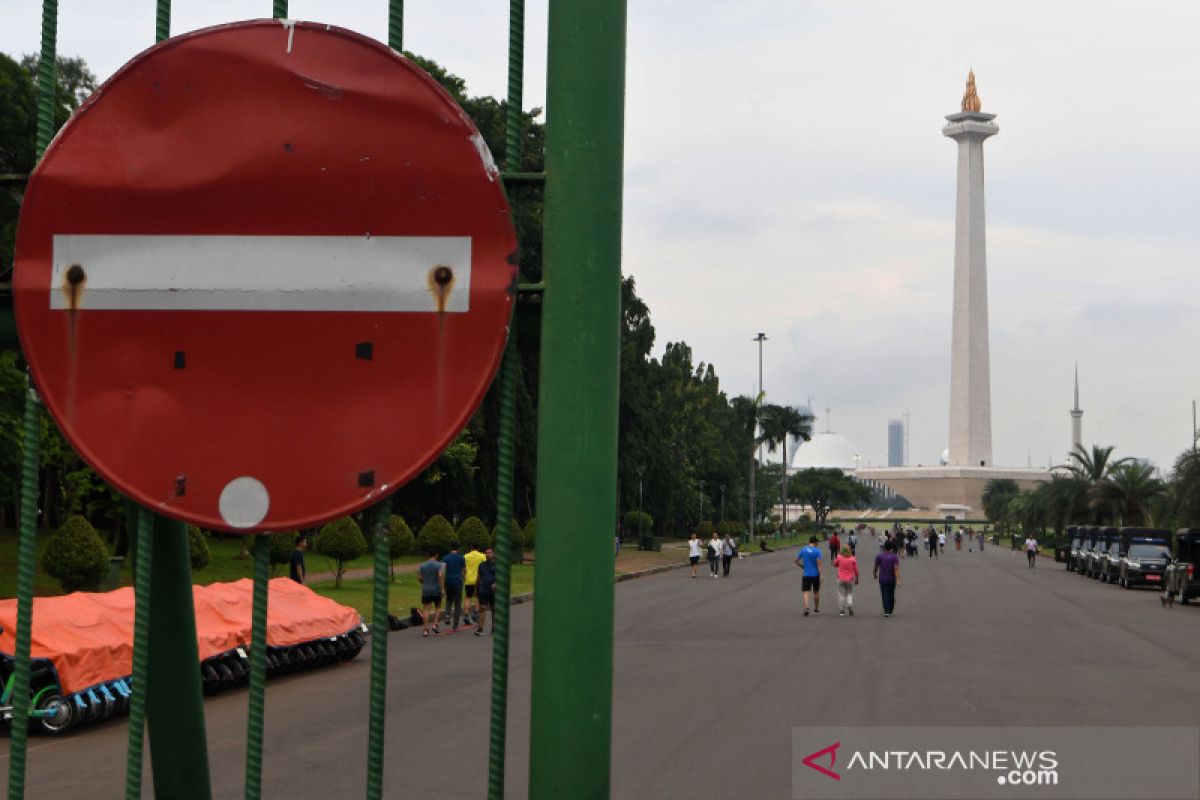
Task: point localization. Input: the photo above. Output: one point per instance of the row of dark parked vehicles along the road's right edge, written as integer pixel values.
(1137, 557)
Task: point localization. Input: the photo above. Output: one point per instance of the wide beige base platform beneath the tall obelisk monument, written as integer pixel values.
(928, 488)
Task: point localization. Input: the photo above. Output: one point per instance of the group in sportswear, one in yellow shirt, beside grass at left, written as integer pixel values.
(448, 579)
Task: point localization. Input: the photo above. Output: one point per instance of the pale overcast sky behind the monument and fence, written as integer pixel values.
(785, 172)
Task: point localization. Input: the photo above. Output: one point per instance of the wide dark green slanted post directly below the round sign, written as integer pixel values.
(175, 703)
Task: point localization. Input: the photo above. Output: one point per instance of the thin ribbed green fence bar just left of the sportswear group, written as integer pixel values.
(376, 715)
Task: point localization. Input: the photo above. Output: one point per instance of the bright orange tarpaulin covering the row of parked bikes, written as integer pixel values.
(89, 636)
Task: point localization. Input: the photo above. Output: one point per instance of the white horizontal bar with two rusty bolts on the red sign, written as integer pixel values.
(347, 274)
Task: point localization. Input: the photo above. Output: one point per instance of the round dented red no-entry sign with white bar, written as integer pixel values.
(265, 275)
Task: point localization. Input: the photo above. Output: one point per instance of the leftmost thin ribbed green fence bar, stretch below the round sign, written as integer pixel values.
(32, 435)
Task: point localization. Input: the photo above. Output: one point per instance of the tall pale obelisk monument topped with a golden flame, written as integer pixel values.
(970, 369)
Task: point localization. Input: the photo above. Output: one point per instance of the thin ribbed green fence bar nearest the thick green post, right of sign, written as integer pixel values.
(497, 742)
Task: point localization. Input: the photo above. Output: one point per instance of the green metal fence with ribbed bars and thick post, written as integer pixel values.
(578, 477)
